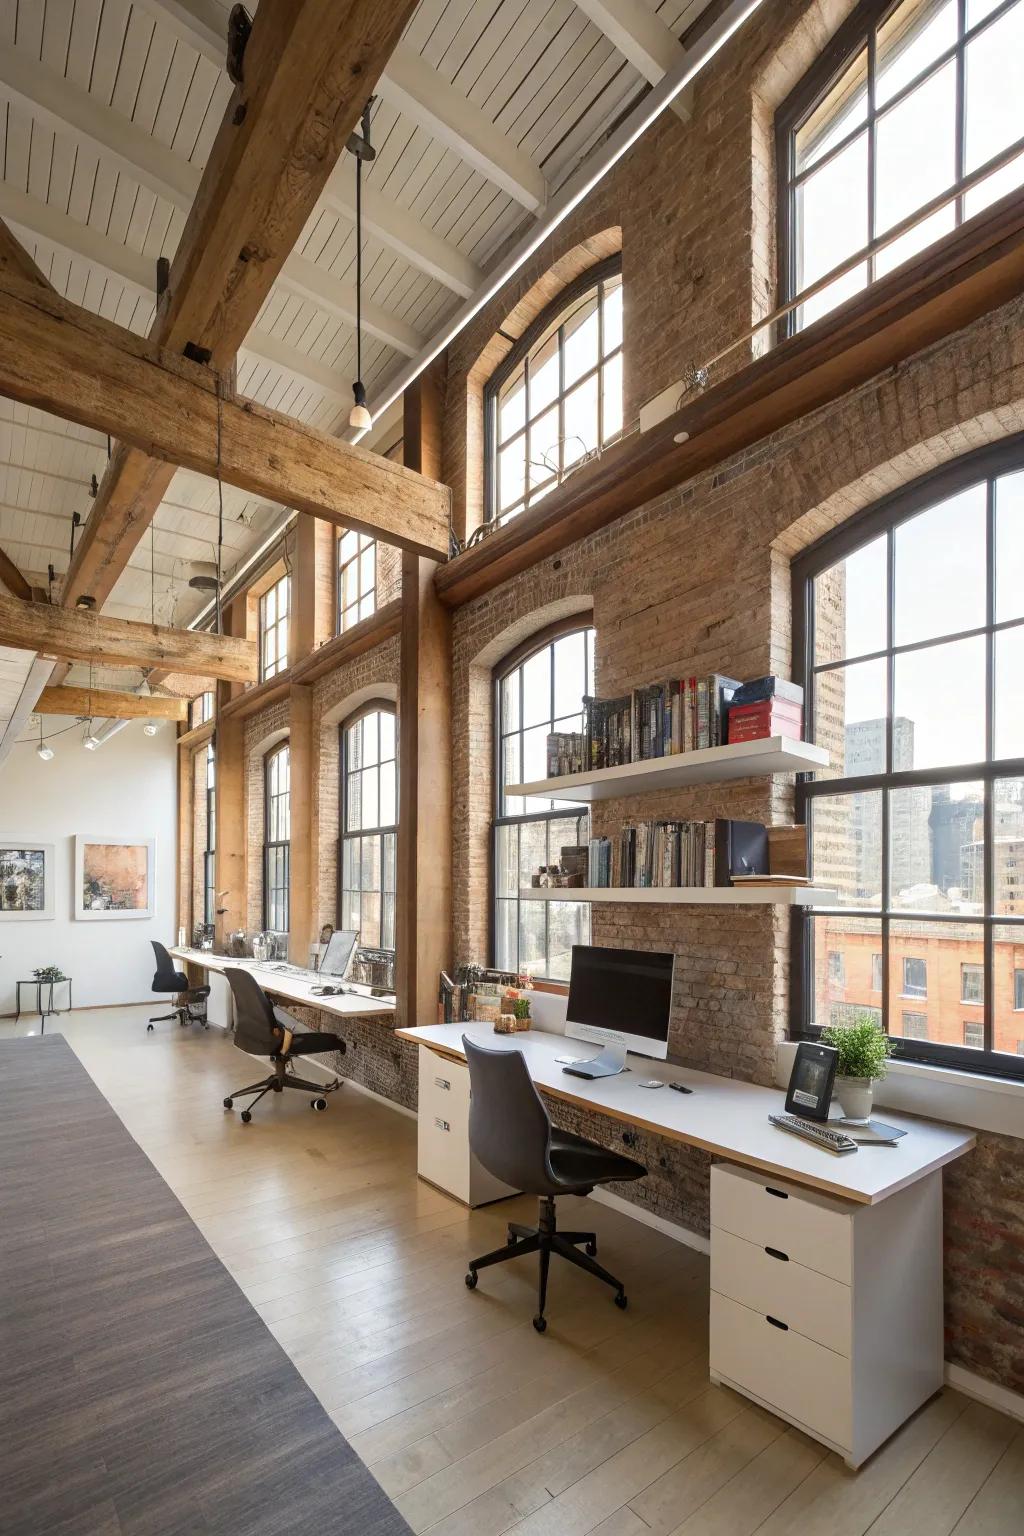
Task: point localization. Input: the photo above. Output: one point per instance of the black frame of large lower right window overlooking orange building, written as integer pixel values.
(980, 466)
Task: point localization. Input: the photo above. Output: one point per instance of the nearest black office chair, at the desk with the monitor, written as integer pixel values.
(514, 1137)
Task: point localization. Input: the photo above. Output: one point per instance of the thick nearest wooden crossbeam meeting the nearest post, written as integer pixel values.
(71, 363)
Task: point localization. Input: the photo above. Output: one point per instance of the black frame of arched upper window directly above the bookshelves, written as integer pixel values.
(589, 282)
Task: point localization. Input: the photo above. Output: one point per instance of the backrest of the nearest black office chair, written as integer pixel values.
(510, 1131)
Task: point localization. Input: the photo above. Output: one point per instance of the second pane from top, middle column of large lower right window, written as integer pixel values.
(927, 681)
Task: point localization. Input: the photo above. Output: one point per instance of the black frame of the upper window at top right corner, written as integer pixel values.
(859, 33)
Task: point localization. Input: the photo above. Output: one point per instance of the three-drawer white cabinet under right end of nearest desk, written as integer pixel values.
(828, 1313)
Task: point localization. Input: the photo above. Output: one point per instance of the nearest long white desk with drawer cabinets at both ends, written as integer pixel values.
(827, 1273)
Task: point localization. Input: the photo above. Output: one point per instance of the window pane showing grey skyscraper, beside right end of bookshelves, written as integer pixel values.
(934, 835)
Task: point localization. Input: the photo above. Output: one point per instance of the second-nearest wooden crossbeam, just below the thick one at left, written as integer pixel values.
(84, 637)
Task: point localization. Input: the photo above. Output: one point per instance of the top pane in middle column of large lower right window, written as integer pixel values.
(939, 594)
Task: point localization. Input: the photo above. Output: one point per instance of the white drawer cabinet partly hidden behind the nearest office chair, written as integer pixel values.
(444, 1156)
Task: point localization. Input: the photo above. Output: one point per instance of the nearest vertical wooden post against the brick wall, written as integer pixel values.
(424, 824)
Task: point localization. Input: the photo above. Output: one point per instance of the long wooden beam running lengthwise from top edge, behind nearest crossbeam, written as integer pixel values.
(311, 67)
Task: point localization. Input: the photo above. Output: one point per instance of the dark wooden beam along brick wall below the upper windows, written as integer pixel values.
(923, 302)
